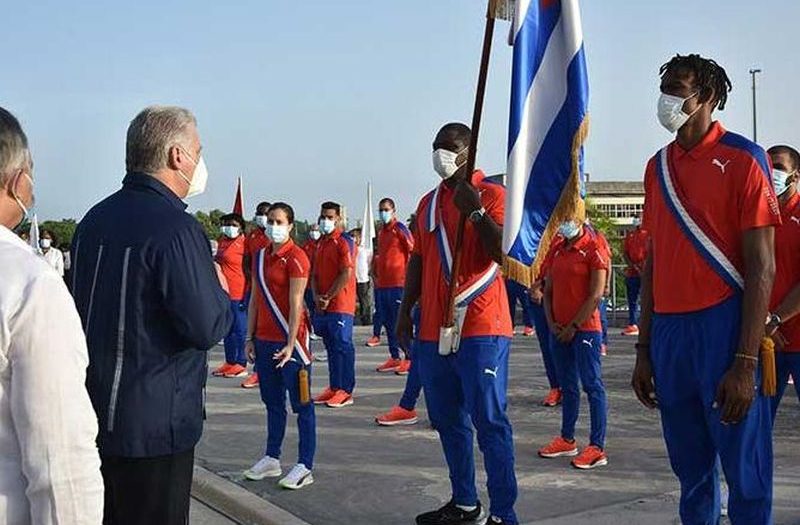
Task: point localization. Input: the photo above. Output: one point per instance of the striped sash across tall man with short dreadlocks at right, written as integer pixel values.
(703, 243)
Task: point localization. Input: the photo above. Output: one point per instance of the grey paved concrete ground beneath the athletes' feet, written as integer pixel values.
(366, 474)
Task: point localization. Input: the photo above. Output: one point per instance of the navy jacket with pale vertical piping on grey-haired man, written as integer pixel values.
(151, 305)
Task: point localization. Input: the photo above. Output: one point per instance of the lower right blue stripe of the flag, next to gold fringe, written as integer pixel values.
(553, 165)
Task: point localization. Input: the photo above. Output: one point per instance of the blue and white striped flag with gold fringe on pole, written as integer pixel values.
(547, 128)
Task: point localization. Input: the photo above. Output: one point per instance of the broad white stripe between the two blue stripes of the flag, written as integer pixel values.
(546, 98)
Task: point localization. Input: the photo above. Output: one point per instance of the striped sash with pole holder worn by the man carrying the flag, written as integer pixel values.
(466, 293)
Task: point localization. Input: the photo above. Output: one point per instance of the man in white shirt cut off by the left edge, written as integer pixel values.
(49, 464)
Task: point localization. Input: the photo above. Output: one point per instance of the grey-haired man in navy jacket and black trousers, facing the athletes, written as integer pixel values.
(152, 304)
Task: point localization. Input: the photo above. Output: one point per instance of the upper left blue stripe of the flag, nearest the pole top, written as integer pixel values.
(532, 40)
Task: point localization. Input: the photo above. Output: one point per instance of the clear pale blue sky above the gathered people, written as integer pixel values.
(308, 101)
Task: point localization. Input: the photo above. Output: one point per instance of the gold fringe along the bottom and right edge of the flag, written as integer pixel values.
(570, 206)
